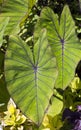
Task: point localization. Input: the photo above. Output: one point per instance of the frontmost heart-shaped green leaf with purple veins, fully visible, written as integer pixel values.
(30, 75)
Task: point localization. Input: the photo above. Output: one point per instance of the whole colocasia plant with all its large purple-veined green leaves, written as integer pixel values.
(37, 77)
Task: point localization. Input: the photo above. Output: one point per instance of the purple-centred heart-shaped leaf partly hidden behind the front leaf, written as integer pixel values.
(64, 42)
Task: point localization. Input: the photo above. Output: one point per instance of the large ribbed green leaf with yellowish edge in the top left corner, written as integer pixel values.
(18, 11)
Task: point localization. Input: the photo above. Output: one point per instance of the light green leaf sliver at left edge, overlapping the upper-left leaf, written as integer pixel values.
(3, 23)
